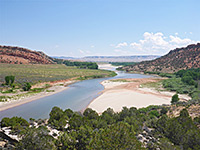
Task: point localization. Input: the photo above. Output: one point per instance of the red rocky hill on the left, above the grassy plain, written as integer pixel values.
(17, 55)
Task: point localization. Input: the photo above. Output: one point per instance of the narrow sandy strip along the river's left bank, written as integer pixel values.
(56, 88)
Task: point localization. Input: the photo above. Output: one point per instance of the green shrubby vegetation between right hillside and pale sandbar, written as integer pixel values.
(182, 82)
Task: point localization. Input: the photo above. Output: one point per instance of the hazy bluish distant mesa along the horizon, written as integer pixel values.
(111, 58)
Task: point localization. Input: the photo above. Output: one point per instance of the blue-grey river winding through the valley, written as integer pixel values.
(77, 98)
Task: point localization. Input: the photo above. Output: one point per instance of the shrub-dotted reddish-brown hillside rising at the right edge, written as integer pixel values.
(180, 58)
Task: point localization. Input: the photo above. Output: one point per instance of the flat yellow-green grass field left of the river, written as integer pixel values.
(42, 73)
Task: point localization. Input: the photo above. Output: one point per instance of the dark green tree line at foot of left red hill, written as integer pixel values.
(81, 65)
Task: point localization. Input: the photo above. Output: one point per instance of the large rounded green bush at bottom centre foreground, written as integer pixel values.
(118, 136)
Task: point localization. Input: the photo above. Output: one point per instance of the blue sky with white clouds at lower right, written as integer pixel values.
(99, 27)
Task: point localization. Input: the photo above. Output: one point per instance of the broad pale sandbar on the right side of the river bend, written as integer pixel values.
(118, 94)
